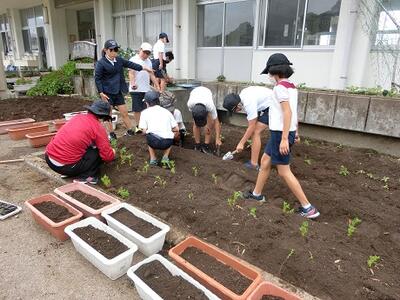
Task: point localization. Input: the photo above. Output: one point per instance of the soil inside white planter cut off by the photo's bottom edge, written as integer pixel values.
(168, 287)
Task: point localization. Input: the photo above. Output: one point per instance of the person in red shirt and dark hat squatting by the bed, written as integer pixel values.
(81, 145)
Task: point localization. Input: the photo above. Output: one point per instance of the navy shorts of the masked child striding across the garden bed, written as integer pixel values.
(272, 147)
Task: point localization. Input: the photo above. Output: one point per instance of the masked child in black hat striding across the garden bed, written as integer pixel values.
(283, 126)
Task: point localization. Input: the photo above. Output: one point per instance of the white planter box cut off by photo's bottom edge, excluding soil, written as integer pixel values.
(146, 293)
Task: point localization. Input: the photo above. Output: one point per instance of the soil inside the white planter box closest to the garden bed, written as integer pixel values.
(139, 225)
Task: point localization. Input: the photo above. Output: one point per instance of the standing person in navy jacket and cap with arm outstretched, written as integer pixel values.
(110, 82)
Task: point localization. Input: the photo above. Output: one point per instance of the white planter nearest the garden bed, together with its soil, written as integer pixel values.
(137, 226)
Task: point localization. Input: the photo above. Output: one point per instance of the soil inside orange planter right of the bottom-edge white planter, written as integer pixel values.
(220, 272)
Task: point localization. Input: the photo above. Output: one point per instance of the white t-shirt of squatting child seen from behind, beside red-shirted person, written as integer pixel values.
(159, 121)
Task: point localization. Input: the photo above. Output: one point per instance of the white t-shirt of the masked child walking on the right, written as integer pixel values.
(280, 94)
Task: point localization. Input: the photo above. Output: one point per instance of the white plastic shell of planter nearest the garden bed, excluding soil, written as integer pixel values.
(147, 246)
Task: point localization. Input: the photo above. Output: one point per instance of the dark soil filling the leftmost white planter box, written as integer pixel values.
(101, 241)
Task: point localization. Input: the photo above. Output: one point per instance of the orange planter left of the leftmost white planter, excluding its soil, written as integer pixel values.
(56, 229)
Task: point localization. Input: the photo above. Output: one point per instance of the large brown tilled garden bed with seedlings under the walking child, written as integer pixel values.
(326, 263)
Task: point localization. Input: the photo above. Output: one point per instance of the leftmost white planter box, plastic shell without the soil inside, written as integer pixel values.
(113, 268)
